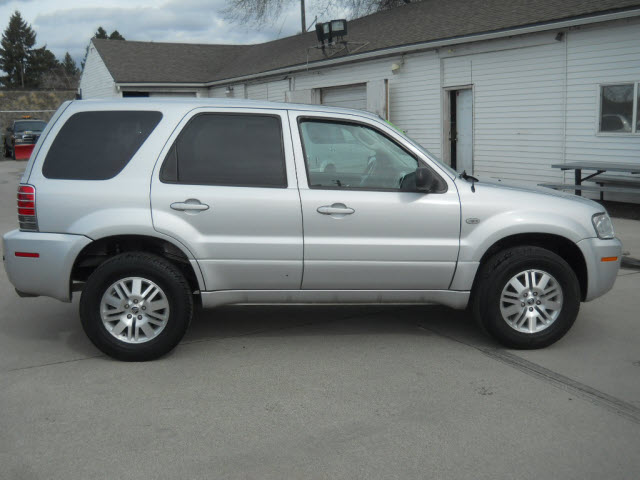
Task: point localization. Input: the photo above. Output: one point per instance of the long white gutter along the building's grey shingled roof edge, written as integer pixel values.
(415, 47)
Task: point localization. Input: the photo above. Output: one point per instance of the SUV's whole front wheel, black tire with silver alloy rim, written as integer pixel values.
(541, 318)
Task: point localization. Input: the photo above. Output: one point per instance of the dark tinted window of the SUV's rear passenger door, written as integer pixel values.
(228, 149)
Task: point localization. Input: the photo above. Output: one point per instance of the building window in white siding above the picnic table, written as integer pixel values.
(619, 108)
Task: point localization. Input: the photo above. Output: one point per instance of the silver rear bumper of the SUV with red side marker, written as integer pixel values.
(49, 274)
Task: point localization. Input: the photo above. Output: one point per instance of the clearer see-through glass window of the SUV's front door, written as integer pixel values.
(348, 155)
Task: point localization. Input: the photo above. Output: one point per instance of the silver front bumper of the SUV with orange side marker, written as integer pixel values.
(601, 274)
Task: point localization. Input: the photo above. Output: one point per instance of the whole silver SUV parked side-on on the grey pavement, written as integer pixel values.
(148, 207)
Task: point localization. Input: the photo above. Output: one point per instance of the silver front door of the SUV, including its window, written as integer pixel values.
(362, 231)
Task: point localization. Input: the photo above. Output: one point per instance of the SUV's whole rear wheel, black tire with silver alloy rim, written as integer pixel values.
(147, 304)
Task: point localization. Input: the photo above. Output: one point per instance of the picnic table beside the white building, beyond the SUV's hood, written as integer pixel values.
(633, 184)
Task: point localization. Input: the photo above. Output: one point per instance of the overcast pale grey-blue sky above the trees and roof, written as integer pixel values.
(67, 25)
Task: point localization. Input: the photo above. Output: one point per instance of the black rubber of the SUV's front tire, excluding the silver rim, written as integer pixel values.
(512, 263)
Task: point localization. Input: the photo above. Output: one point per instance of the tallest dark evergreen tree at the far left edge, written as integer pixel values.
(17, 42)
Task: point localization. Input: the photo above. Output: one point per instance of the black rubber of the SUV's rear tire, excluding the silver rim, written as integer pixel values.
(155, 269)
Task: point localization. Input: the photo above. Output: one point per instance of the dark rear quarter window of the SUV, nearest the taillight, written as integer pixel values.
(98, 145)
